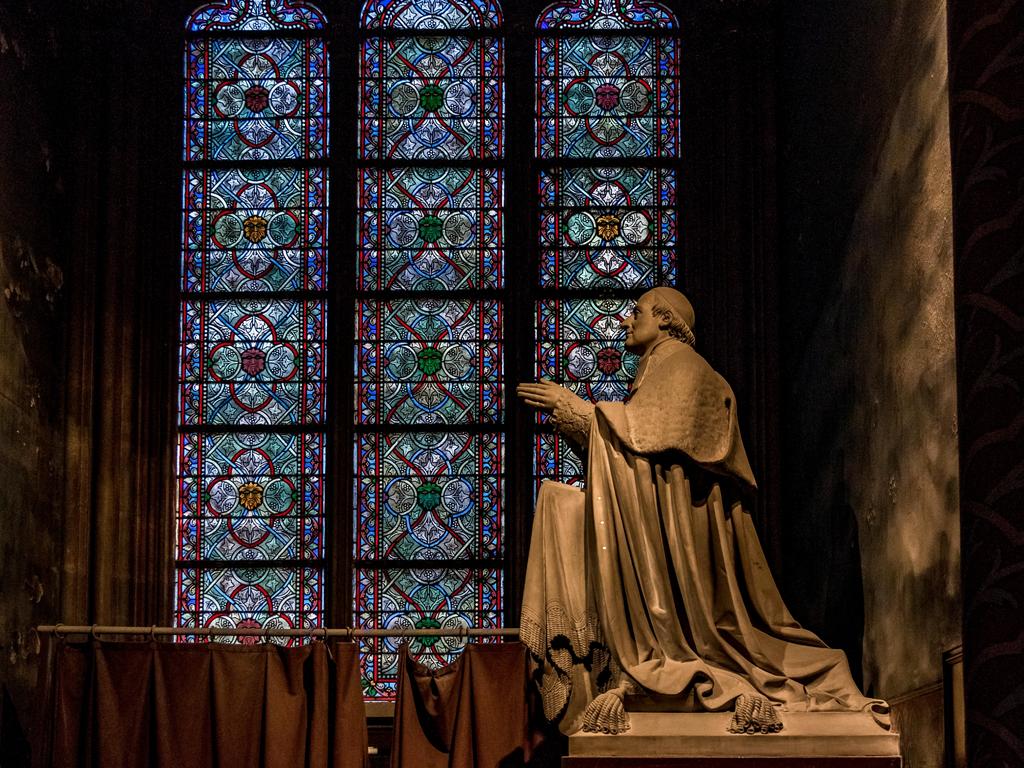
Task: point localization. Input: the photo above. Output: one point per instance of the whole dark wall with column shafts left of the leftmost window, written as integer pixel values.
(88, 269)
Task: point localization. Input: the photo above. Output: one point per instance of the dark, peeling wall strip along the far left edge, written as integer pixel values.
(33, 265)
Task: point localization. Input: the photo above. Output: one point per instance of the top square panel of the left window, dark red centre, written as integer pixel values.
(257, 99)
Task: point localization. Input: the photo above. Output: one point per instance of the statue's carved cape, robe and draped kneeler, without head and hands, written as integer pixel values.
(659, 565)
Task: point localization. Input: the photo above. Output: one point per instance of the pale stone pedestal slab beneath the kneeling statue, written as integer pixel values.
(662, 740)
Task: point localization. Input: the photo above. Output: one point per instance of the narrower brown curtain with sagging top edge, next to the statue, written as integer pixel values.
(472, 714)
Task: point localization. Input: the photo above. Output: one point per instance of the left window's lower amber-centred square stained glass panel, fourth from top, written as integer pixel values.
(250, 496)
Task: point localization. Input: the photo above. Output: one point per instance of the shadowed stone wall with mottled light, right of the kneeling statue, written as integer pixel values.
(871, 508)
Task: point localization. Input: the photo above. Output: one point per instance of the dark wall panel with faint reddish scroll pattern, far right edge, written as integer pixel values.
(987, 50)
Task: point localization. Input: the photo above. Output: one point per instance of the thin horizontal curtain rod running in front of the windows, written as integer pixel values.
(317, 633)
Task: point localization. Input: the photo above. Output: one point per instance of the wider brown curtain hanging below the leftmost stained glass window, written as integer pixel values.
(174, 706)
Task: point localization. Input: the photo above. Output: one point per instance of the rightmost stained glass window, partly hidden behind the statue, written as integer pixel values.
(608, 141)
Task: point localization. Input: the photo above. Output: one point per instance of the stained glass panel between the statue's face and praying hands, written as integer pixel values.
(581, 346)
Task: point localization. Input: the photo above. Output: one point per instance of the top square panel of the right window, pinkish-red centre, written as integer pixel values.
(608, 98)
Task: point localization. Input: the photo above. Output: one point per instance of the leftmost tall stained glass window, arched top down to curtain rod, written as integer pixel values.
(253, 319)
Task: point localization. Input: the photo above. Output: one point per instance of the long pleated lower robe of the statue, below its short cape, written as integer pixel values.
(684, 590)
